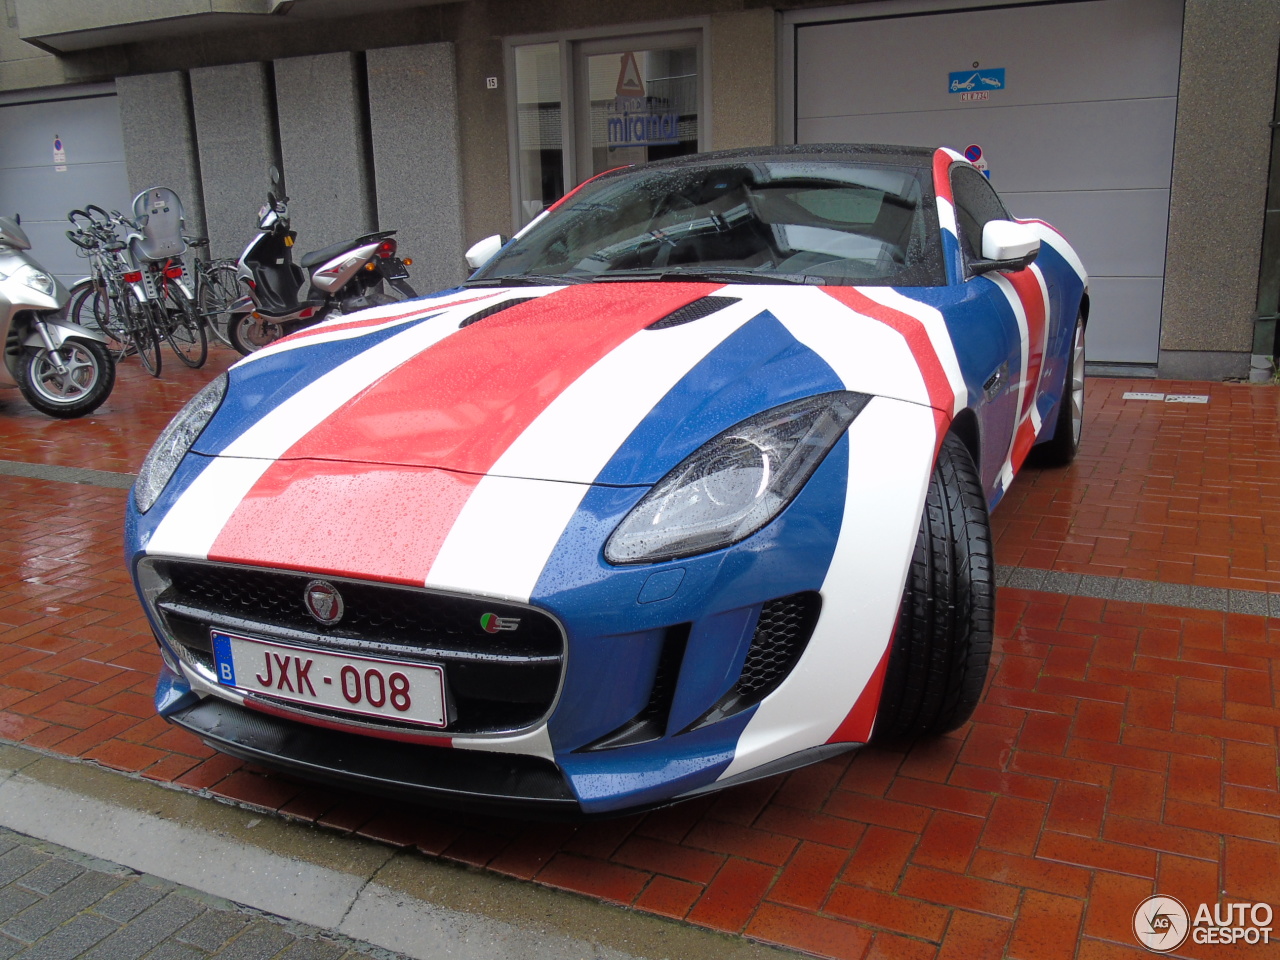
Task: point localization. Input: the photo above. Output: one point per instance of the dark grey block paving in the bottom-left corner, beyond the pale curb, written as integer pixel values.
(57, 904)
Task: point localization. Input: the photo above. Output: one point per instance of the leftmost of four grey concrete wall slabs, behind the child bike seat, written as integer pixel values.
(161, 140)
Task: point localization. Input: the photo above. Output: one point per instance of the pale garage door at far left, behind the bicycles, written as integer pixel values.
(42, 186)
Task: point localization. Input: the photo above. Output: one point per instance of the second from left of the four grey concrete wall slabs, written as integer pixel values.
(236, 134)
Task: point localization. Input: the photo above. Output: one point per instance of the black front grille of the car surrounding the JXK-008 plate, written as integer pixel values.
(495, 683)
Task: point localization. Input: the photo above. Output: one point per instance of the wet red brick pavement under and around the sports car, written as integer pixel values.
(1121, 749)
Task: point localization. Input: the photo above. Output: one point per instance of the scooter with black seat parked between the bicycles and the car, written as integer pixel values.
(345, 277)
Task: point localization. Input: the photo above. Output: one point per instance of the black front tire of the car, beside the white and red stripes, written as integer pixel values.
(943, 644)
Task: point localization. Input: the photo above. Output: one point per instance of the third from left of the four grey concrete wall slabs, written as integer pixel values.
(324, 145)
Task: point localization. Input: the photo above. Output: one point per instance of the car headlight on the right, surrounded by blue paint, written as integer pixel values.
(735, 483)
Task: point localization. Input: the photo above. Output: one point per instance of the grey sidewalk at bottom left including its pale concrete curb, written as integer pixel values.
(171, 867)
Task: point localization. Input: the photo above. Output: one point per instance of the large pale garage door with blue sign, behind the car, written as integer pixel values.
(1073, 106)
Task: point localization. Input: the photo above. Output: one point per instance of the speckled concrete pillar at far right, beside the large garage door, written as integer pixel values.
(1222, 150)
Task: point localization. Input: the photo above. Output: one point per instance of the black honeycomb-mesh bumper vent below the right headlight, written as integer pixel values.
(781, 636)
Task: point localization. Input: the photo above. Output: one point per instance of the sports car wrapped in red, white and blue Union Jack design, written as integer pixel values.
(687, 486)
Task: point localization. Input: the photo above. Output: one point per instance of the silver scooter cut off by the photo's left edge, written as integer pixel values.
(63, 369)
